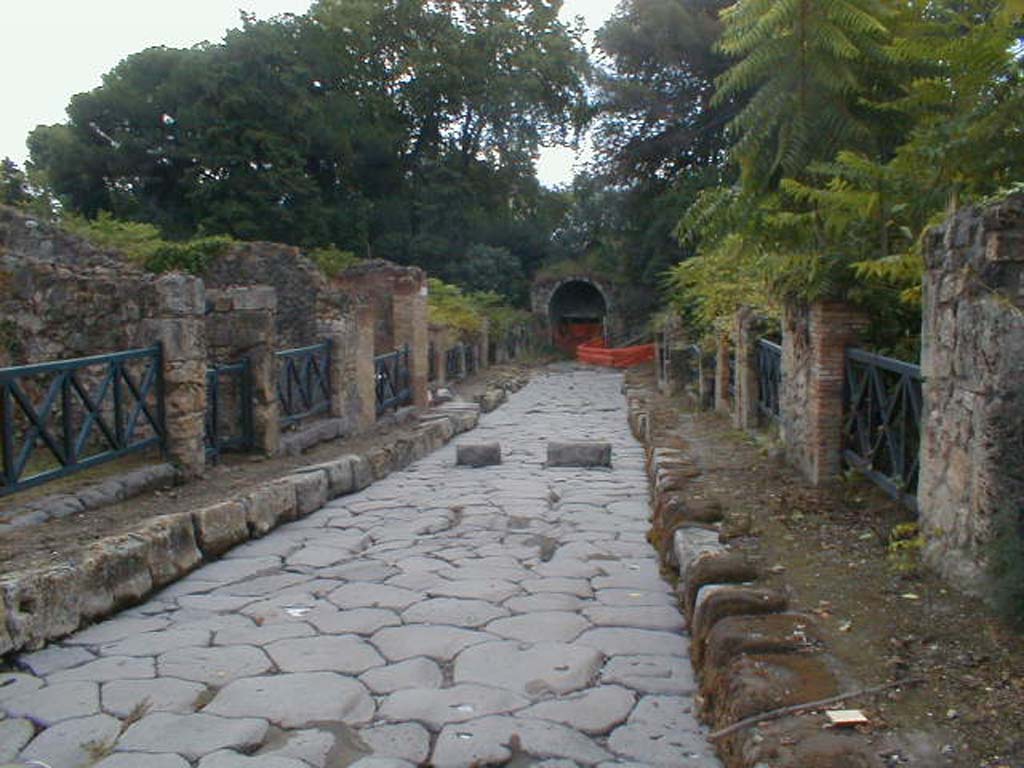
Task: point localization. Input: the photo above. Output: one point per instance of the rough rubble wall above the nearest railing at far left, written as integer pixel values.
(61, 297)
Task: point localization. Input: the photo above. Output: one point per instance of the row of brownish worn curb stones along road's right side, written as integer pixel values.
(751, 654)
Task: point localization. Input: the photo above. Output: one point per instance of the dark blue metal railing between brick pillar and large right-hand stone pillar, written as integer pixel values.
(882, 423)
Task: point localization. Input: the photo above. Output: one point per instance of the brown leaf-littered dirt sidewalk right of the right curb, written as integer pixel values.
(885, 617)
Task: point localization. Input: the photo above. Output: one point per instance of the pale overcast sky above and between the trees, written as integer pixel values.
(53, 50)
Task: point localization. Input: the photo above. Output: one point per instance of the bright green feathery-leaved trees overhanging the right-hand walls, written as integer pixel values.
(854, 127)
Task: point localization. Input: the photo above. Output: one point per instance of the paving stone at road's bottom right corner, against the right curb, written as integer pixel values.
(662, 732)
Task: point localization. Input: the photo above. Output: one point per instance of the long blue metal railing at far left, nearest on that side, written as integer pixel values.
(62, 417)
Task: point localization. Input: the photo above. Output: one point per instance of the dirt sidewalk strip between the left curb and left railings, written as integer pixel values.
(58, 541)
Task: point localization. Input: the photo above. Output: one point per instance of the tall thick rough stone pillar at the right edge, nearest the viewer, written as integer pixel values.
(972, 457)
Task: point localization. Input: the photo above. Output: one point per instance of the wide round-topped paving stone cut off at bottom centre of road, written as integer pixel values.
(490, 742)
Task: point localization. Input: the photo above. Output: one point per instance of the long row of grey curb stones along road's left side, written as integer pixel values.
(45, 605)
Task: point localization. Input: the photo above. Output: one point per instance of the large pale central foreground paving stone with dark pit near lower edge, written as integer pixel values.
(527, 668)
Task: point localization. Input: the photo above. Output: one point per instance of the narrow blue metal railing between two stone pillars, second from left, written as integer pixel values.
(229, 424)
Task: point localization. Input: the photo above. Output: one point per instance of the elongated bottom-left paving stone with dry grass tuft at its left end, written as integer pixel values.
(193, 736)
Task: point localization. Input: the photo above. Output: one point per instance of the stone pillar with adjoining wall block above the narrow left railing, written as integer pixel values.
(241, 324)
